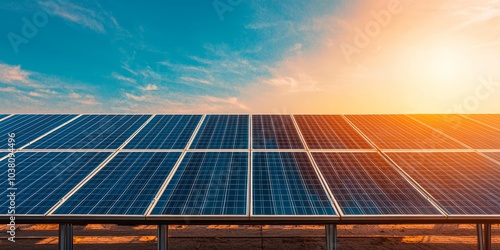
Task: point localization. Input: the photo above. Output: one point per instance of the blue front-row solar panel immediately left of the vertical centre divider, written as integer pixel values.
(207, 184)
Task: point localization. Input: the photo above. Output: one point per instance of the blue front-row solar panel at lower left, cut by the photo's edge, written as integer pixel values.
(42, 179)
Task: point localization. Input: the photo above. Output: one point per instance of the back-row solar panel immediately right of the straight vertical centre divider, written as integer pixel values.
(275, 132)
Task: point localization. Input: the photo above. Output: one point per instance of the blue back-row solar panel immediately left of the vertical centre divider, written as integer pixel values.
(223, 132)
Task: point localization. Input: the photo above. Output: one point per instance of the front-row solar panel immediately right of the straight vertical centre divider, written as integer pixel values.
(285, 183)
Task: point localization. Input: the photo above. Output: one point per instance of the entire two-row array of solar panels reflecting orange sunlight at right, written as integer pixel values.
(264, 167)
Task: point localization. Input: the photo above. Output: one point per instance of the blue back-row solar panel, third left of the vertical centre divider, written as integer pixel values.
(93, 132)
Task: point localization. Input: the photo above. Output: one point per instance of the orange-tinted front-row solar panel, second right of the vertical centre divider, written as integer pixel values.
(366, 184)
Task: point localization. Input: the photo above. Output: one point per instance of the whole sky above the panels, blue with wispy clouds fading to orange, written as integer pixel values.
(216, 57)
